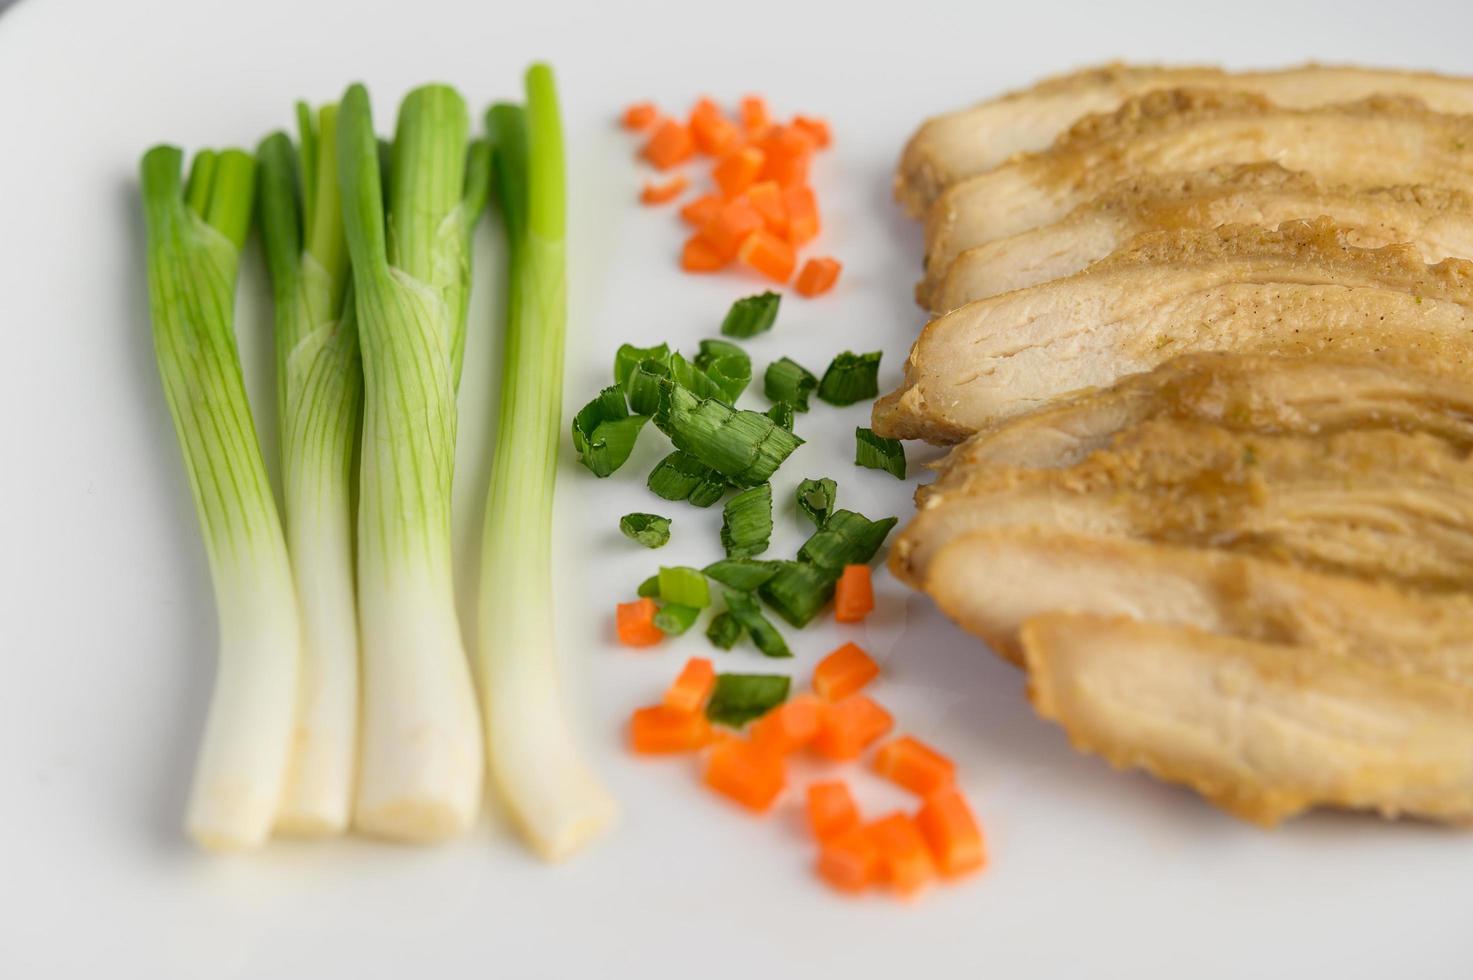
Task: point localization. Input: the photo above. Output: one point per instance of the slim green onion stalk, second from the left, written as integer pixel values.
(320, 405)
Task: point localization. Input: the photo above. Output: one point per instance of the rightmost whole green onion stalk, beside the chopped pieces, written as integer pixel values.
(535, 761)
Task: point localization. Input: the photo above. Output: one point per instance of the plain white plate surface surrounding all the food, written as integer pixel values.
(107, 629)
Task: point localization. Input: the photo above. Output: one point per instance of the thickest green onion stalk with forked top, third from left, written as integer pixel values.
(421, 764)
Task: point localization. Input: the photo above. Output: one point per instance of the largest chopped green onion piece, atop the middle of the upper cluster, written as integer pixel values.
(746, 447)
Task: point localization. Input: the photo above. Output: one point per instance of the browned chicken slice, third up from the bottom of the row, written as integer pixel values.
(1378, 505)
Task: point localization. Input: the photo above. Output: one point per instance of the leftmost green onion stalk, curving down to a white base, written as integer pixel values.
(195, 235)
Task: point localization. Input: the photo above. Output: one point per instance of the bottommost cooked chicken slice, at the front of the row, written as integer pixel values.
(1262, 730)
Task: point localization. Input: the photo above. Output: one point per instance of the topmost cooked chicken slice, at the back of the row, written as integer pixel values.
(960, 145)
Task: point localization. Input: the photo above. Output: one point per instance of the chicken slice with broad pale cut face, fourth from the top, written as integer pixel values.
(1300, 290)
